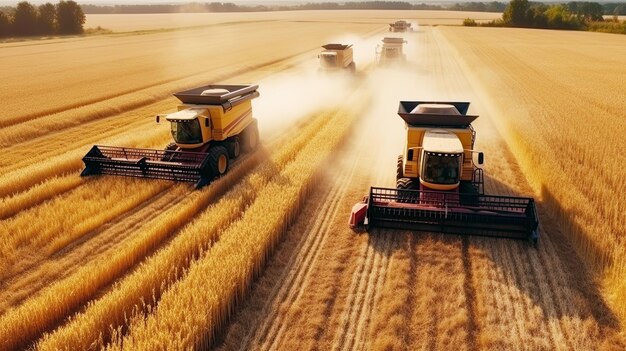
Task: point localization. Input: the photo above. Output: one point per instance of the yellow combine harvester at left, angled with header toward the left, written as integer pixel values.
(213, 125)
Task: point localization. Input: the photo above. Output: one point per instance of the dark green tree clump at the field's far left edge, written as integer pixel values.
(66, 17)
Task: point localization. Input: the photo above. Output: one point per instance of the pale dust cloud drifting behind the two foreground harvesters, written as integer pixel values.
(287, 98)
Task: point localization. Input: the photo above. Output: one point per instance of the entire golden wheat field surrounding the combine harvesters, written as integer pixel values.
(263, 258)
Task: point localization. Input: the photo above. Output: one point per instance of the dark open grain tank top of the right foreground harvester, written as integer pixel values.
(436, 113)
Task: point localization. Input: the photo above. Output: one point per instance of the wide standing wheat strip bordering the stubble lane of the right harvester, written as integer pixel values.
(234, 260)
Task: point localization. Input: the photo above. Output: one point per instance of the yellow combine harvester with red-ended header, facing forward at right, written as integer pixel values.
(439, 188)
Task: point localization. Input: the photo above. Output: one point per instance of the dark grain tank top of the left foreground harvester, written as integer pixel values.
(218, 94)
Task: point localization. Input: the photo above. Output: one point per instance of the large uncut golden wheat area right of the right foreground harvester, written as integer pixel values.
(566, 105)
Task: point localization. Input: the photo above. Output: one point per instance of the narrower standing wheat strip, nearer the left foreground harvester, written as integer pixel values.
(87, 327)
